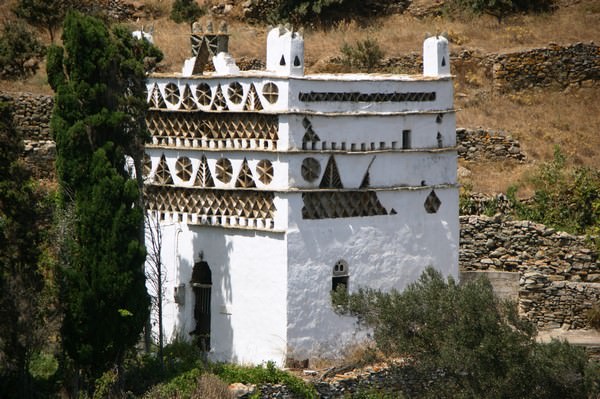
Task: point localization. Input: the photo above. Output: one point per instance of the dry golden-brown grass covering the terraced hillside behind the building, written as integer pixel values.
(539, 119)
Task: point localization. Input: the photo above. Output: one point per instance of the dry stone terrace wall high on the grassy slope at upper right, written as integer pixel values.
(551, 66)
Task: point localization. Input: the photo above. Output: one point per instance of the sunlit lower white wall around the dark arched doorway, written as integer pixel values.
(248, 304)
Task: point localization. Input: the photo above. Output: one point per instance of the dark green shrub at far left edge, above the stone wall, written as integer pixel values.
(20, 51)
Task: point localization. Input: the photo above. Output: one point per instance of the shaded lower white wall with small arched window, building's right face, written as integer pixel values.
(382, 252)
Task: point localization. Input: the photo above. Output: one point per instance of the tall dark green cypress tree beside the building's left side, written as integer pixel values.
(98, 120)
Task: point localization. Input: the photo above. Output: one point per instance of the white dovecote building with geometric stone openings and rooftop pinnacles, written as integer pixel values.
(273, 187)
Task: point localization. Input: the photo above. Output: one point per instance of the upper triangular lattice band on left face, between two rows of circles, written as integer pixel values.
(209, 126)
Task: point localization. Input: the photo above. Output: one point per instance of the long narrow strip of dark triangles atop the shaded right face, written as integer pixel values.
(366, 97)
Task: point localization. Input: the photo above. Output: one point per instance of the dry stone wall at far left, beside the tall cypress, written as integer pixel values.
(31, 118)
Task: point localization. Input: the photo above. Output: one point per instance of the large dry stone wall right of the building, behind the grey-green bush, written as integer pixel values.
(559, 273)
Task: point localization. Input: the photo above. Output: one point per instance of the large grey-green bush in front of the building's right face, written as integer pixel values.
(467, 343)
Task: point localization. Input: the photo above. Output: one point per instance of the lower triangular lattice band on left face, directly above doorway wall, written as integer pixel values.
(222, 203)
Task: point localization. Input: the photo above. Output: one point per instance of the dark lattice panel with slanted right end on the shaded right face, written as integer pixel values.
(341, 204)
